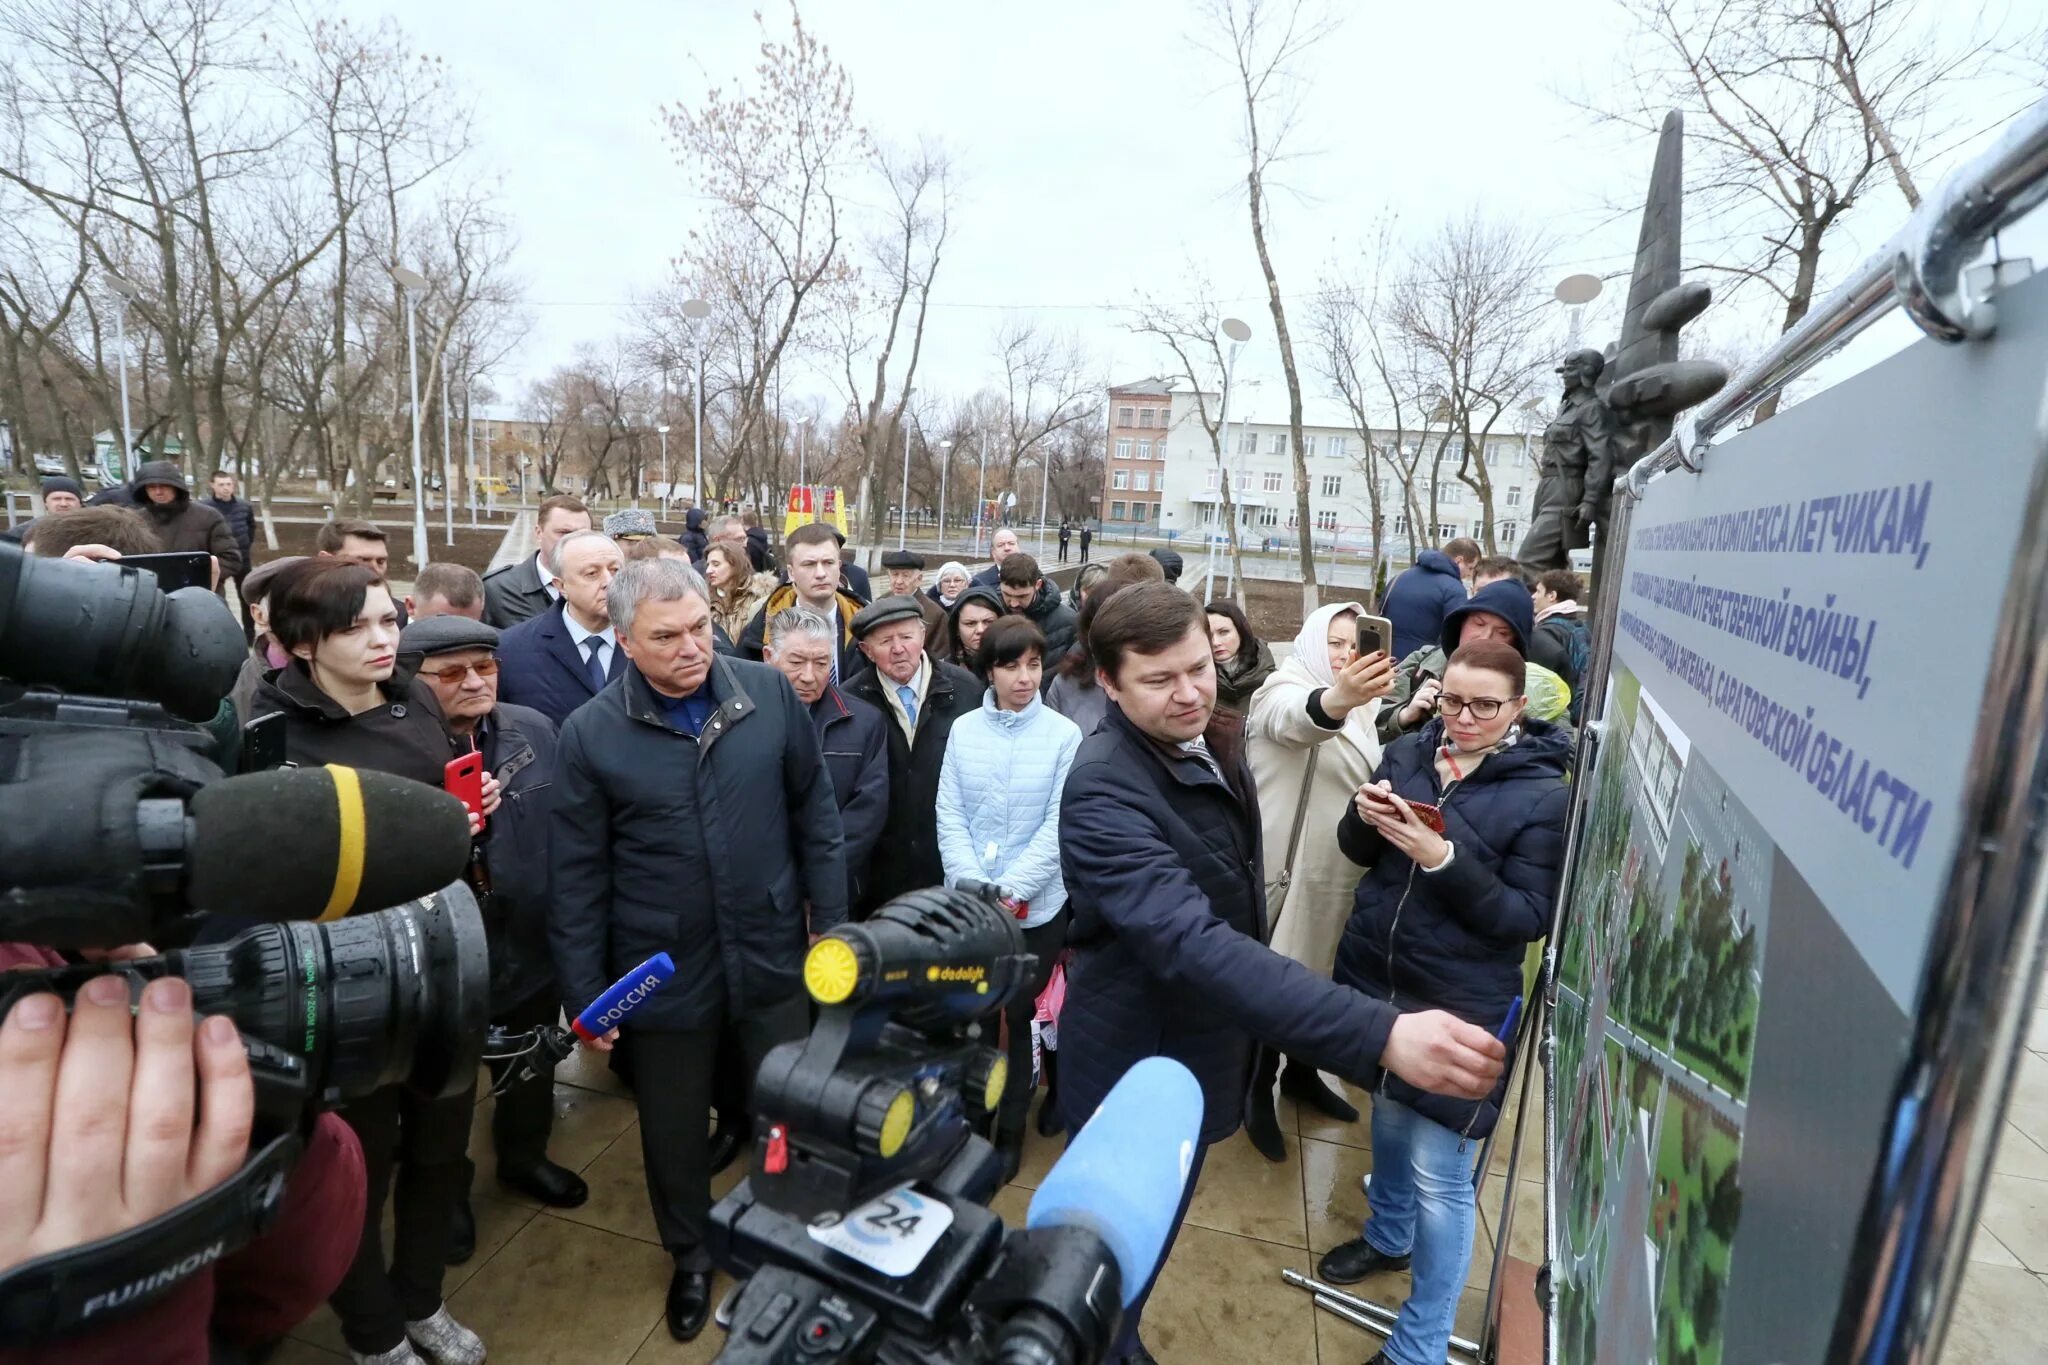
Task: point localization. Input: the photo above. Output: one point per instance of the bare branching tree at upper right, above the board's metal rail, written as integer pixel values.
(1797, 109)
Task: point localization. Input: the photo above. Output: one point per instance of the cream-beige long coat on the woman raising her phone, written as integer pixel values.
(1312, 906)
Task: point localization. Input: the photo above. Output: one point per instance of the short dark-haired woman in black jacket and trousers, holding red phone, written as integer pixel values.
(347, 703)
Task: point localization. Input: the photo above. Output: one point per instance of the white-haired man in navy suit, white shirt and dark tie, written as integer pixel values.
(566, 656)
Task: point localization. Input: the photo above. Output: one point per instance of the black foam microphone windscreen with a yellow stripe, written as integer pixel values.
(323, 842)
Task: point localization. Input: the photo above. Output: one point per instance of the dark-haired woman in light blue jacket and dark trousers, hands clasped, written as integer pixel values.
(998, 822)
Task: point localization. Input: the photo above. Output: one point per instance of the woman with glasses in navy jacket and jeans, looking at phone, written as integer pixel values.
(1463, 836)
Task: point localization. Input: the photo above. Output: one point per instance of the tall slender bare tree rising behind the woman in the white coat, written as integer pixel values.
(1263, 42)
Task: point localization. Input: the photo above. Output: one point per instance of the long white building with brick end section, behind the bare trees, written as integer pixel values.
(1179, 486)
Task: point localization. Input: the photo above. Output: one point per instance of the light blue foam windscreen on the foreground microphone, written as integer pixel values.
(1123, 1174)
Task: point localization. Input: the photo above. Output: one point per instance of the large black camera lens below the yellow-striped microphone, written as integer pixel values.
(370, 1002)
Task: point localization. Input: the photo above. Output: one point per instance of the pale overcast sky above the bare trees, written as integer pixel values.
(1097, 142)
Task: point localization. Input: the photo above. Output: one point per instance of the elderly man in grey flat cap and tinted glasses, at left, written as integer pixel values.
(456, 658)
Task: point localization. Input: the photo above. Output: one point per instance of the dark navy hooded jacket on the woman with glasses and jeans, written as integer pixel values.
(1457, 938)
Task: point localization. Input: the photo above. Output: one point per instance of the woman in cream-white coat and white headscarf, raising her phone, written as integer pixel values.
(1312, 746)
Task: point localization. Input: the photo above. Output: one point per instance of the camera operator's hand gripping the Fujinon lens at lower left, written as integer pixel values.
(105, 1127)
